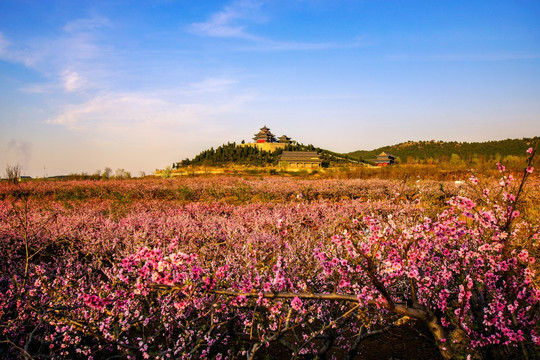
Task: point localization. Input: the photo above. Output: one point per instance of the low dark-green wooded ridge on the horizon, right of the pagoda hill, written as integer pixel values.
(436, 151)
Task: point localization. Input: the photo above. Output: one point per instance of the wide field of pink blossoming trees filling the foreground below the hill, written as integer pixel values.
(231, 268)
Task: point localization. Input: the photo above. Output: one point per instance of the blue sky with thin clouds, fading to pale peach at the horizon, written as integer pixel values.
(140, 84)
